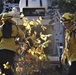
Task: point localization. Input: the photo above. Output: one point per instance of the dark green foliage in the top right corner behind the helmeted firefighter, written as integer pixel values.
(67, 6)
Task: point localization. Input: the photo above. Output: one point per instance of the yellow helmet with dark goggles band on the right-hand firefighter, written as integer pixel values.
(67, 17)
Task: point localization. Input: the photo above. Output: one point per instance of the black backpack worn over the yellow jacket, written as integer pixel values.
(7, 30)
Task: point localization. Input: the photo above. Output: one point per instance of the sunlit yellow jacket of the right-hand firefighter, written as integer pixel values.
(70, 45)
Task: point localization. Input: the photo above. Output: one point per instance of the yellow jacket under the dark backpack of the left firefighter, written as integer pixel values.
(9, 43)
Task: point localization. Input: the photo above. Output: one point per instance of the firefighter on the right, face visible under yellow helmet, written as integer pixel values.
(69, 52)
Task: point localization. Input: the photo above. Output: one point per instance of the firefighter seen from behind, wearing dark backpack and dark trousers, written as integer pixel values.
(8, 46)
